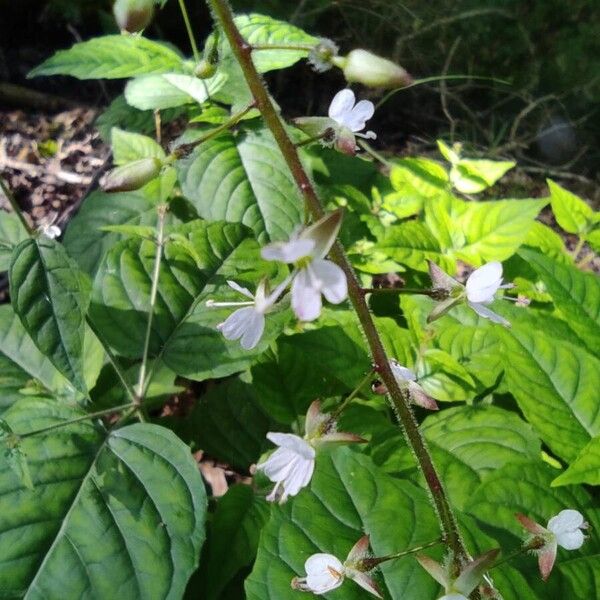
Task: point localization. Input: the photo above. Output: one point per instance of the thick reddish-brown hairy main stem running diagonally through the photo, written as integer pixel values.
(400, 402)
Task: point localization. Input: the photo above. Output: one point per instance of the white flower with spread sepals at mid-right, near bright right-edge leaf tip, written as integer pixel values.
(479, 290)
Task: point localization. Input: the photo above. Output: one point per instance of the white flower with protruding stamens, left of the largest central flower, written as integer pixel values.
(248, 323)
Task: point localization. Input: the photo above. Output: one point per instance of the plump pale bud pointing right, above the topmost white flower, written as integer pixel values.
(371, 70)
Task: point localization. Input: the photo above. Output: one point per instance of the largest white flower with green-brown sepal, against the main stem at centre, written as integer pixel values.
(313, 274)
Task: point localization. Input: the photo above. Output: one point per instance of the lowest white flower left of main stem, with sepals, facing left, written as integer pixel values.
(325, 572)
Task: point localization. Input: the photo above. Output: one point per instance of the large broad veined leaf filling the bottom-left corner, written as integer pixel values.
(121, 510)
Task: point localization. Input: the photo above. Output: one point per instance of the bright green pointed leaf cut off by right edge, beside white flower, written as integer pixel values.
(576, 295)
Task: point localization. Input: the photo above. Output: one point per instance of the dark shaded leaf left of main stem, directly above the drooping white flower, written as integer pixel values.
(335, 357)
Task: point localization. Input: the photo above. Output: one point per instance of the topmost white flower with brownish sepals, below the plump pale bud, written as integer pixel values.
(347, 118)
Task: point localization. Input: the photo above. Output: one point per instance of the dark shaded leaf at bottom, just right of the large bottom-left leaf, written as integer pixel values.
(231, 541)
